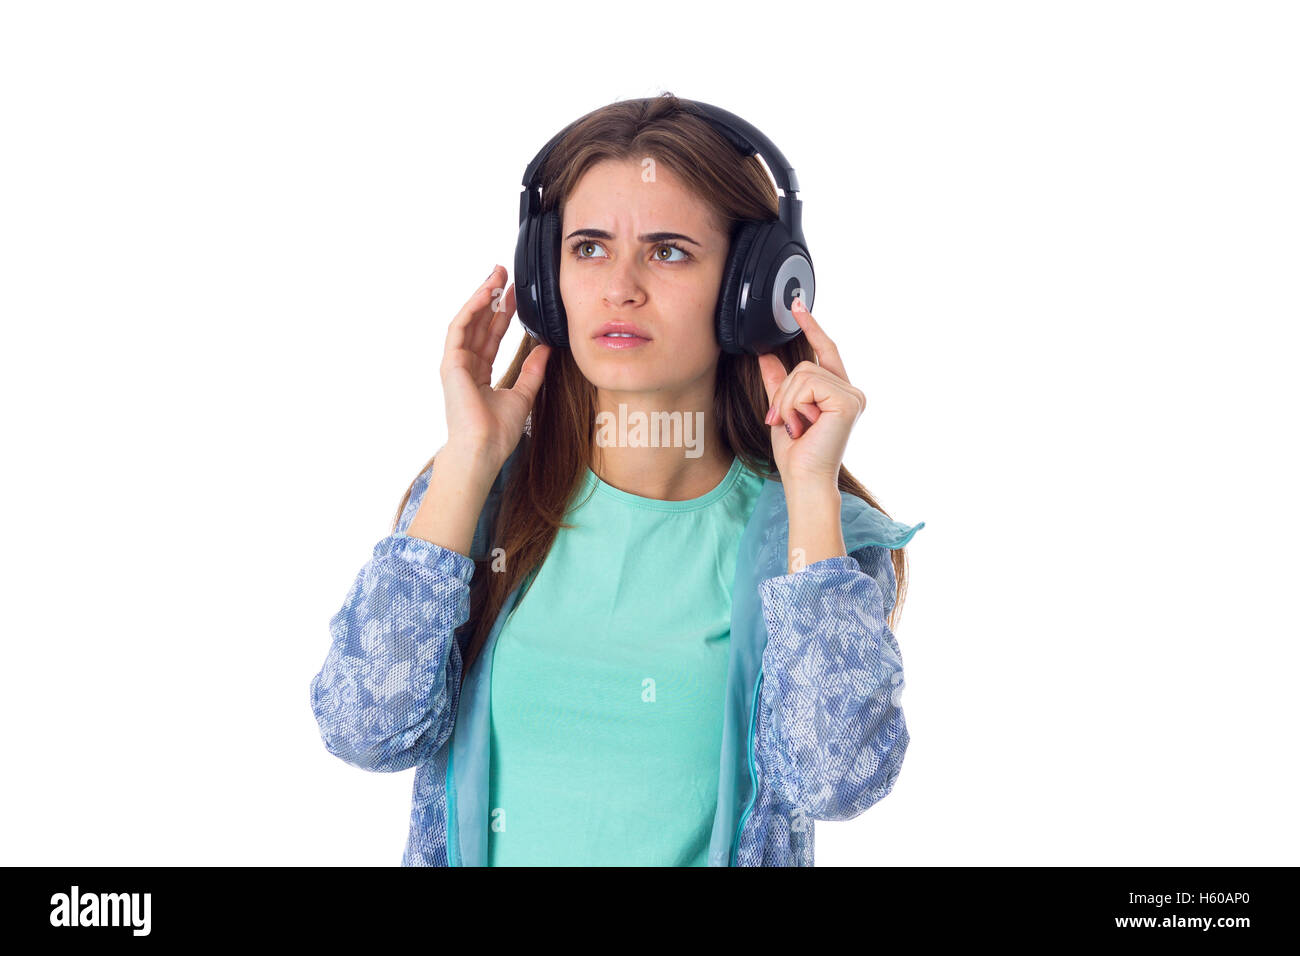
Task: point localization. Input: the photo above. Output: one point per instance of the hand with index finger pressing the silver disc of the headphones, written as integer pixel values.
(812, 410)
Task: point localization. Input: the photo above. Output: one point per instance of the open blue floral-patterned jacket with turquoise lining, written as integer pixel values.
(813, 726)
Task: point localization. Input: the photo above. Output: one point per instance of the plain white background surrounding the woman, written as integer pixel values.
(1056, 244)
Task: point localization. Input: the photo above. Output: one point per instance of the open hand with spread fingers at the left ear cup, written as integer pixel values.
(483, 422)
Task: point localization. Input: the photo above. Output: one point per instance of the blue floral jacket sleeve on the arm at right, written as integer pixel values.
(833, 681)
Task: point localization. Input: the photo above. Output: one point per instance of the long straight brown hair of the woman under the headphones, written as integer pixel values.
(547, 474)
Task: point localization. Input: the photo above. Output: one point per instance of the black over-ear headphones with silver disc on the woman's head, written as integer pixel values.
(769, 263)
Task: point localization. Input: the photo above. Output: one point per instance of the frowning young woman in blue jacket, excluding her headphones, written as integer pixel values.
(604, 642)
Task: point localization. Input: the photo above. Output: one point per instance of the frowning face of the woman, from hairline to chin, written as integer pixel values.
(612, 270)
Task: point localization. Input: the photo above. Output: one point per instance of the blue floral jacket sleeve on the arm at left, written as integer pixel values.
(385, 698)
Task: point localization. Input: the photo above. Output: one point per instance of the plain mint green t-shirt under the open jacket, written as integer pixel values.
(609, 678)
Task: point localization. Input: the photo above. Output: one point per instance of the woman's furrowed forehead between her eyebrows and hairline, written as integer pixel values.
(612, 192)
